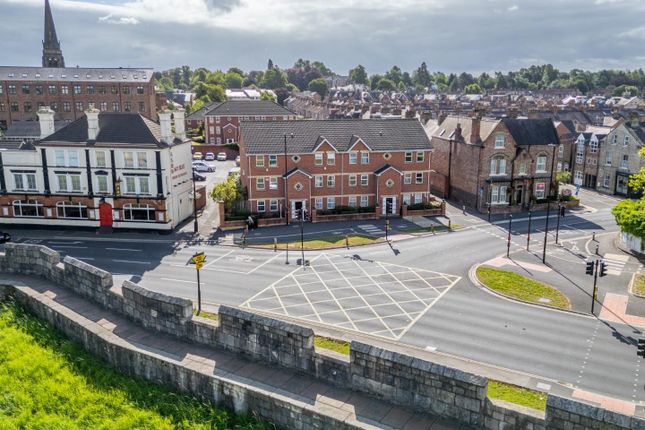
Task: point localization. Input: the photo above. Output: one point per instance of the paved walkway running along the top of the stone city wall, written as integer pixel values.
(358, 409)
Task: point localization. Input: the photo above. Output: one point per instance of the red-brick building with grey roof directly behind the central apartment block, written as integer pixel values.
(222, 122)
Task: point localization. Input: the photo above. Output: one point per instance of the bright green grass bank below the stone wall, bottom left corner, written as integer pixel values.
(49, 382)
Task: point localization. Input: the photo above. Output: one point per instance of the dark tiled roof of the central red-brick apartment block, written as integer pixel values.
(267, 137)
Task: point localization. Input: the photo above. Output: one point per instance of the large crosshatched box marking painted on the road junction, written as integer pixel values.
(366, 296)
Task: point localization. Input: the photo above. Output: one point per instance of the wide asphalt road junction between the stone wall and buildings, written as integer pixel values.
(576, 350)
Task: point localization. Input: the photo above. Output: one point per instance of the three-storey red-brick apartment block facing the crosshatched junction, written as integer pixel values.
(368, 164)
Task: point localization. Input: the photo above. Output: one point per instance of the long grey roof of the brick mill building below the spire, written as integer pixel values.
(75, 74)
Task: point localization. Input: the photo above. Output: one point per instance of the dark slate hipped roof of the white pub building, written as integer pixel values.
(114, 129)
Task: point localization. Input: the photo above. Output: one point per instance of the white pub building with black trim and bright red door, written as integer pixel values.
(104, 169)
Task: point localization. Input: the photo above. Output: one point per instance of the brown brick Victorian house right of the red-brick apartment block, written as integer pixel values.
(504, 164)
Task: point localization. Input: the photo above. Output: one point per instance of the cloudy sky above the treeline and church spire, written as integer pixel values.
(449, 35)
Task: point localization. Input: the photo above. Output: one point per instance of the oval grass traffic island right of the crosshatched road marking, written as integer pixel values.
(519, 287)
